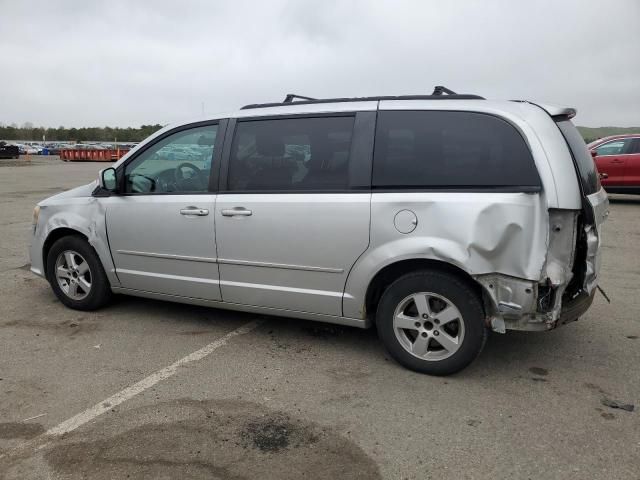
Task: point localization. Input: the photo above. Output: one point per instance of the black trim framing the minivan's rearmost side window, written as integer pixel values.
(532, 189)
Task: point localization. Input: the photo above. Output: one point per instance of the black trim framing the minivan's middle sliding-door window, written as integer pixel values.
(360, 152)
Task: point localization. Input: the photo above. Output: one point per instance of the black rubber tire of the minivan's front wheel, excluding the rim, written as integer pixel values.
(100, 291)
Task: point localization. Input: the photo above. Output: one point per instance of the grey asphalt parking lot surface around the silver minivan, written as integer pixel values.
(275, 398)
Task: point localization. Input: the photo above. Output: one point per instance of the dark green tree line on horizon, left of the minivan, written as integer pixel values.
(28, 132)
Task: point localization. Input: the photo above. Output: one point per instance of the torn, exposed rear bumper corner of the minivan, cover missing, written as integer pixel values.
(568, 279)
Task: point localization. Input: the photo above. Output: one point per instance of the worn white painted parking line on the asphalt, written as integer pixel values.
(139, 387)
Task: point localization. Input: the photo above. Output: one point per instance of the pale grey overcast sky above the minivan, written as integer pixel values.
(126, 63)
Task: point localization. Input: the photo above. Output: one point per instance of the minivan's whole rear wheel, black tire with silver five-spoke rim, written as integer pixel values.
(431, 322)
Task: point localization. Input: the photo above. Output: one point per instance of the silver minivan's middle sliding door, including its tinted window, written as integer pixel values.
(289, 223)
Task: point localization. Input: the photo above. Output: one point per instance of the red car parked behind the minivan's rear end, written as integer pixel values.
(618, 161)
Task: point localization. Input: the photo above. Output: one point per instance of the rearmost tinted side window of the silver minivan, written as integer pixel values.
(440, 149)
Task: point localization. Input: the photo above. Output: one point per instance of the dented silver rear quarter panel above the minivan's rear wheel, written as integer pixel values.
(481, 233)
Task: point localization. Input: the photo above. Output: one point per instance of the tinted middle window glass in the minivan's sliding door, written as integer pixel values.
(291, 154)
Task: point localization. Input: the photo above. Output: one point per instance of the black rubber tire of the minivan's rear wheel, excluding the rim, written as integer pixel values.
(459, 294)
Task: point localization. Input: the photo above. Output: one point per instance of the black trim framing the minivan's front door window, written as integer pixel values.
(215, 166)
